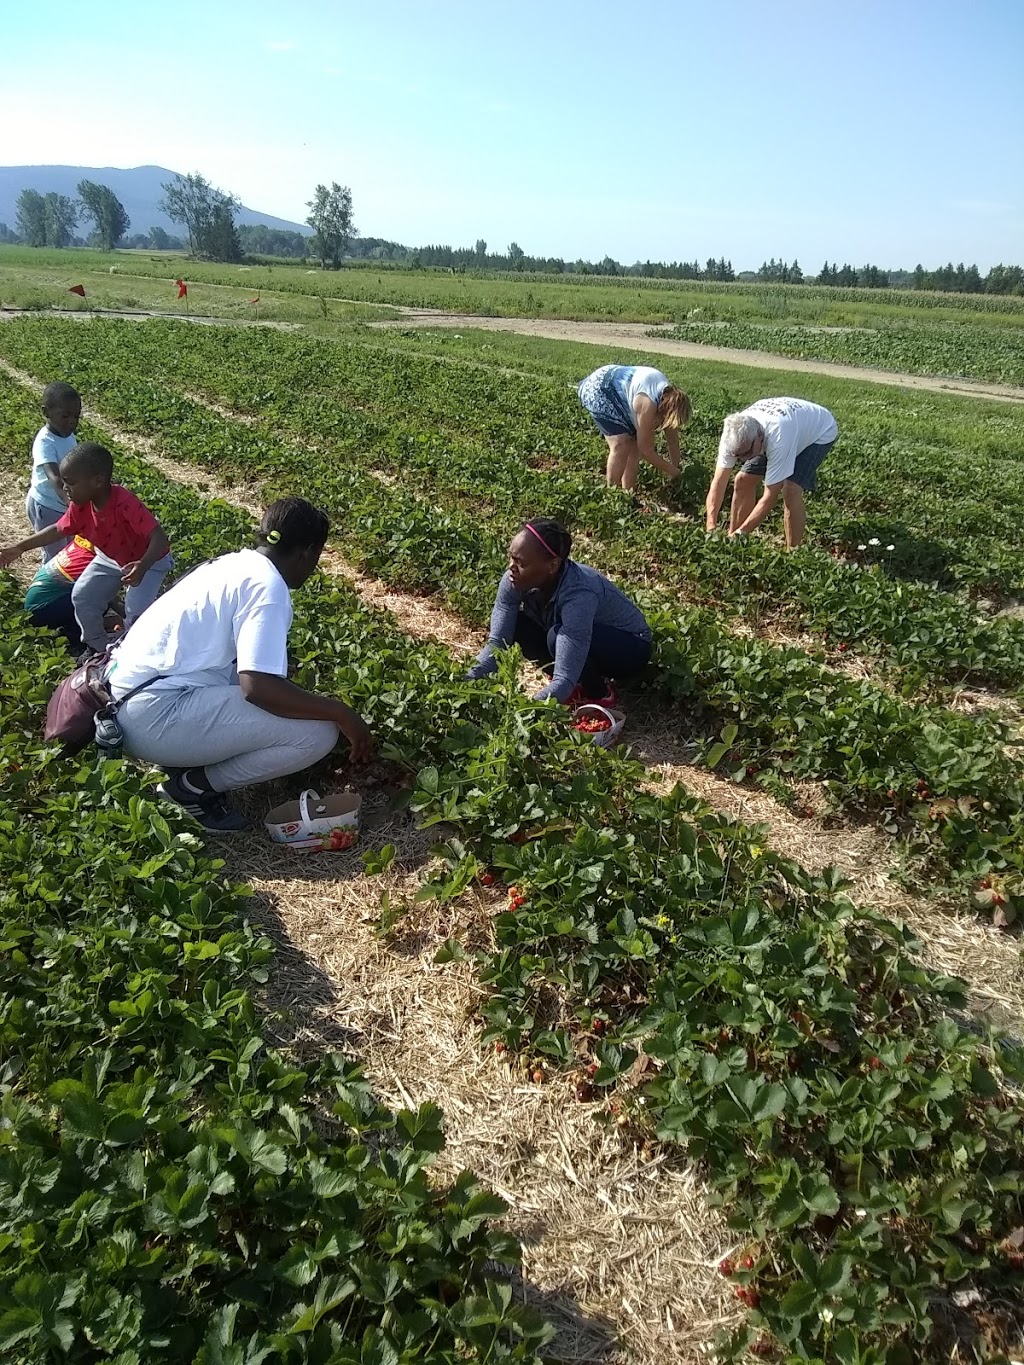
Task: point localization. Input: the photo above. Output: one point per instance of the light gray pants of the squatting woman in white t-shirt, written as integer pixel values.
(215, 728)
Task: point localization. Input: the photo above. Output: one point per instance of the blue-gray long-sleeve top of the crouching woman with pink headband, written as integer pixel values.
(582, 600)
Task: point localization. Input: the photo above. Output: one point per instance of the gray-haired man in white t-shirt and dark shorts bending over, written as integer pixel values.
(782, 442)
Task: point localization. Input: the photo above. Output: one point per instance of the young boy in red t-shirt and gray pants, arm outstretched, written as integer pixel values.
(132, 548)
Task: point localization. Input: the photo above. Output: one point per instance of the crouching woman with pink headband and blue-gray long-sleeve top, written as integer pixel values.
(567, 618)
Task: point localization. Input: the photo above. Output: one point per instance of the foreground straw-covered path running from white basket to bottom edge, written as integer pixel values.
(621, 1247)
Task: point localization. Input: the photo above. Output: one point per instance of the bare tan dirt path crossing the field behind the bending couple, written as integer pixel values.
(638, 338)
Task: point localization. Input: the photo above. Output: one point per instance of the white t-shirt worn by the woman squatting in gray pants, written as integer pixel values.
(226, 618)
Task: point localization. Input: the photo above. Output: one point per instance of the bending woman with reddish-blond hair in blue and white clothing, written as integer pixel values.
(630, 405)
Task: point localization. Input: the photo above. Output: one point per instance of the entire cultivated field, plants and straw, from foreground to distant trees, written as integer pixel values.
(713, 1038)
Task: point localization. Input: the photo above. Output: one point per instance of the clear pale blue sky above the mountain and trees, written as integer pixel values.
(810, 129)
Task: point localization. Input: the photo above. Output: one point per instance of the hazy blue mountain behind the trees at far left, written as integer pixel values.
(140, 190)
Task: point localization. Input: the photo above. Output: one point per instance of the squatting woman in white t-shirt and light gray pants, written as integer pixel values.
(216, 709)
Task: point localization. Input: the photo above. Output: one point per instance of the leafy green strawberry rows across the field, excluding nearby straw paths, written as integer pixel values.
(174, 1188)
